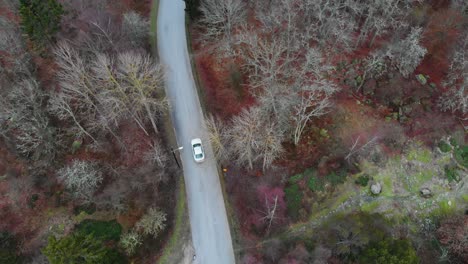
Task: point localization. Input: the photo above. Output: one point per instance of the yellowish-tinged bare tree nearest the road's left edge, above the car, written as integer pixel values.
(133, 88)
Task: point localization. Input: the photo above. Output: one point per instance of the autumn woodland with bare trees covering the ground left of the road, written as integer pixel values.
(84, 171)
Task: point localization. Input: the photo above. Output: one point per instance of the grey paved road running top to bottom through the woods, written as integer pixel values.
(209, 225)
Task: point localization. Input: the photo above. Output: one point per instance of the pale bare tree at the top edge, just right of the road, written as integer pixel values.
(220, 18)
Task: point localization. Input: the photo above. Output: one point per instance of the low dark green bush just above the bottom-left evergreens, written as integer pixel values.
(103, 230)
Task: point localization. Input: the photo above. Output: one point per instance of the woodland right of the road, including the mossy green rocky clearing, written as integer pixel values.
(341, 126)
